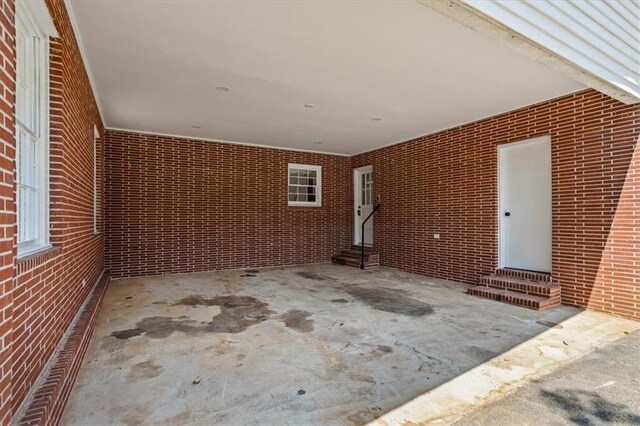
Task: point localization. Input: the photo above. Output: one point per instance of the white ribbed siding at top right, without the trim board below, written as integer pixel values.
(600, 37)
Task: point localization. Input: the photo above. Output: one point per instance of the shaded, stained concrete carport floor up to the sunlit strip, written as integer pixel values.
(315, 344)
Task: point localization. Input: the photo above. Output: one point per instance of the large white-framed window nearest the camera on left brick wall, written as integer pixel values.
(31, 134)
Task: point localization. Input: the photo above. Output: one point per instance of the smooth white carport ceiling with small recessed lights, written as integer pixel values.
(156, 66)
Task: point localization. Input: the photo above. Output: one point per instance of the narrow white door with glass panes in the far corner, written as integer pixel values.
(363, 204)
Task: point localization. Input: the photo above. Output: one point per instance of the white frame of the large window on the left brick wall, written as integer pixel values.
(28, 17)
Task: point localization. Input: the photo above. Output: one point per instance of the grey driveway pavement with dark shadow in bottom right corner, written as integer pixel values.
(603, 387)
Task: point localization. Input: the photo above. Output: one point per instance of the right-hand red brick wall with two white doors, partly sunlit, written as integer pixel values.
(446, 183)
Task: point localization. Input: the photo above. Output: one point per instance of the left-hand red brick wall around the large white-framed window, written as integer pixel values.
(40, 295)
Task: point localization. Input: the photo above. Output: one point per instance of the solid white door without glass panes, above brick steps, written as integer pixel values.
(524, 204)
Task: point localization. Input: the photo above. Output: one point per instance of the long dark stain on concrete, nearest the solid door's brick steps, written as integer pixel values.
(390, 300)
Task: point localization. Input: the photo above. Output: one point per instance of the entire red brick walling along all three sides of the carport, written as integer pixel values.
(176, 205)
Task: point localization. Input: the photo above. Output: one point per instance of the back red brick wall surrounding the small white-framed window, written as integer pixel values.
(176, 205)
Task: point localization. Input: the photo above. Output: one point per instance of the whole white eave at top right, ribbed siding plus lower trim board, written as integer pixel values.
(596, 42)
